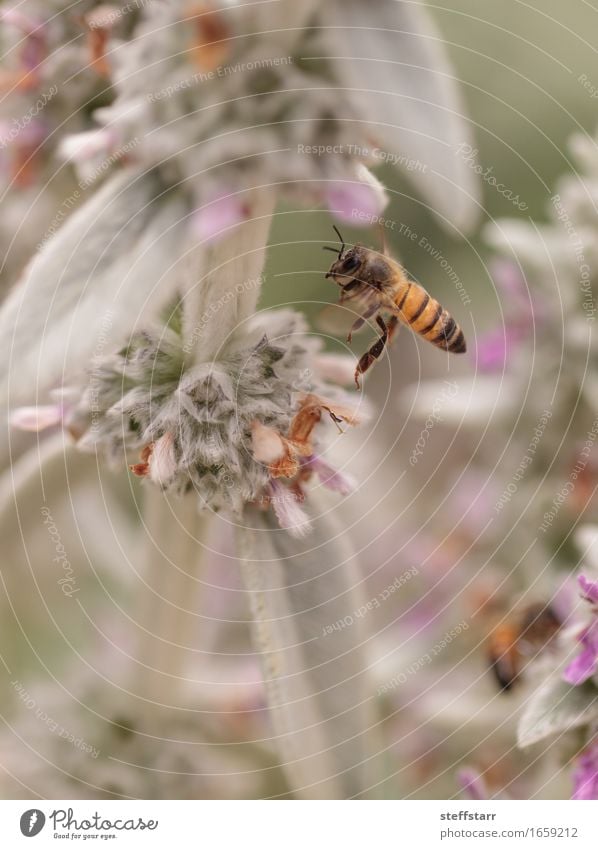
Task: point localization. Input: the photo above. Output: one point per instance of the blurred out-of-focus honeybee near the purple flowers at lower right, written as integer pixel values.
(519, 638)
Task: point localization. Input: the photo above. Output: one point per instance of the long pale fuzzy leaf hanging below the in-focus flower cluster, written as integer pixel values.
(317, 677)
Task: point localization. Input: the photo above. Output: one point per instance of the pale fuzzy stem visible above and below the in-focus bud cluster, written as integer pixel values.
(223, 281)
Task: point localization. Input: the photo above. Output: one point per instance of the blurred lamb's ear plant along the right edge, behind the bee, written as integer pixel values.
(526, 498)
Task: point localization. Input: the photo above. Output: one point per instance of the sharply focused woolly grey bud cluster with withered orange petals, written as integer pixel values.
(227, 429)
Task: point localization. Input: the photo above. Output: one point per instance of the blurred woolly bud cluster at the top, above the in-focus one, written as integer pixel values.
(262, 140)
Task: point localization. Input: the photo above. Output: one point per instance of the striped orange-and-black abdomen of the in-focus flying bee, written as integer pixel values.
(426, 317)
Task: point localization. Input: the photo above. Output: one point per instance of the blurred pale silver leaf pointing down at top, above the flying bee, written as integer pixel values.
(391, 63)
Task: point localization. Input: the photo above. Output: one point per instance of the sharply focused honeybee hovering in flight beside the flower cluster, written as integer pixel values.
(373, 283)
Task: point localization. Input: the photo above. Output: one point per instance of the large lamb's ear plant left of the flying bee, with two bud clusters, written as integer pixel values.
(136, 327)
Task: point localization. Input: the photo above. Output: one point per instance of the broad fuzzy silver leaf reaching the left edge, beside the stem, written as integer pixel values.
(90, 284)
